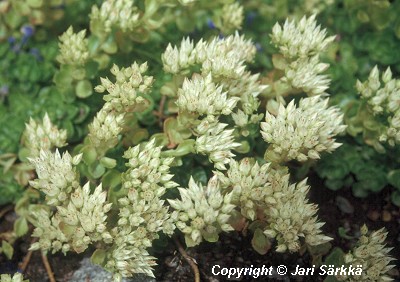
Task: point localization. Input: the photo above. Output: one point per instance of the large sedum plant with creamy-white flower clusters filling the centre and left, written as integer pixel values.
(210, 112)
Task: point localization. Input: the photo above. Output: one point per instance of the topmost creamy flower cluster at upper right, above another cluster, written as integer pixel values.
(300, 40)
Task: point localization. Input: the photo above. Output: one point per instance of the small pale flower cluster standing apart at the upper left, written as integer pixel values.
(73, 47)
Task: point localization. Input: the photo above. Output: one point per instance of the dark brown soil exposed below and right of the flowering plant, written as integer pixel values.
(234, 249)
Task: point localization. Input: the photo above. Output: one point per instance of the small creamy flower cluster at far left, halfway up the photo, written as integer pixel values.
(43, 136)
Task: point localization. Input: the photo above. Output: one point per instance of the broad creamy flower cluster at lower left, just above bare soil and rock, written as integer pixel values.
(76, 225)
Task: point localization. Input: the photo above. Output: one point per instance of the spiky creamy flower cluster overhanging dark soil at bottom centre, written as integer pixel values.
(203, 212)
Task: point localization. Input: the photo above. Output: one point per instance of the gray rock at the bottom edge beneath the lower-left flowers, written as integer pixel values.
(94, 273)
